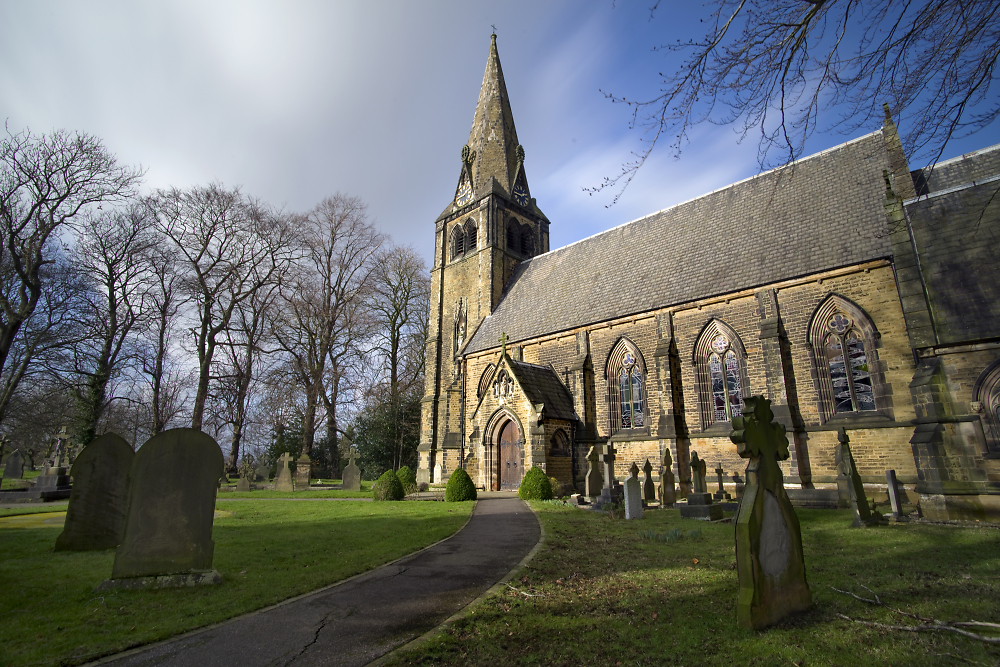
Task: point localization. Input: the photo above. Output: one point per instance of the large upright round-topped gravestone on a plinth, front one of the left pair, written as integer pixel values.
(168, 531)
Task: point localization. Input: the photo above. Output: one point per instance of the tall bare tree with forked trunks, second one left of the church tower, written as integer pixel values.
(323, 310)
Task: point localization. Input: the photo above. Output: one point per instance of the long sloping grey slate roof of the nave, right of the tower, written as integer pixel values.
(822, 212)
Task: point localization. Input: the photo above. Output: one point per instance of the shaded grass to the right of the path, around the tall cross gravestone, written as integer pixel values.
(599, 592)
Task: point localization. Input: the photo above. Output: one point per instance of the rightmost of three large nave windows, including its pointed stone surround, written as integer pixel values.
(843, 341)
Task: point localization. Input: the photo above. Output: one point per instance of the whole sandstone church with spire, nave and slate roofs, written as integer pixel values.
(849, 290)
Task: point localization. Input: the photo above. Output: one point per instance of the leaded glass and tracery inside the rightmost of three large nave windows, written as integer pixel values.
(849, 371)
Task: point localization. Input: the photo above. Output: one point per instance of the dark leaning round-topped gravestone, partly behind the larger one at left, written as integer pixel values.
(98, 502)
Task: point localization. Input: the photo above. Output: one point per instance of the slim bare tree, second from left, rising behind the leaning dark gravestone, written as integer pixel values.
(113, 254)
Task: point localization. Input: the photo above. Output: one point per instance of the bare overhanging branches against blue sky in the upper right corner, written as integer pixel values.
(773, 67)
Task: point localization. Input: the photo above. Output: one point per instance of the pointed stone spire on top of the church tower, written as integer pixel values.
(493, 143)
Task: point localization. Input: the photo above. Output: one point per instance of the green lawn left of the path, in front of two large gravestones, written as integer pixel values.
(266, 551)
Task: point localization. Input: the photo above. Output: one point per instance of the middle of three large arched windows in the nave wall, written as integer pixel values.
(720, 359)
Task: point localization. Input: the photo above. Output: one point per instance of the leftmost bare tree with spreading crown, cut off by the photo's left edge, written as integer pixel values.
(46, 181)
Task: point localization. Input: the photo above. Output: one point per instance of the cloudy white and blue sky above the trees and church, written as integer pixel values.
(296, 100)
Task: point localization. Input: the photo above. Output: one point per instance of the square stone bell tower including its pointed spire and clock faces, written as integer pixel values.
(490, 225)
